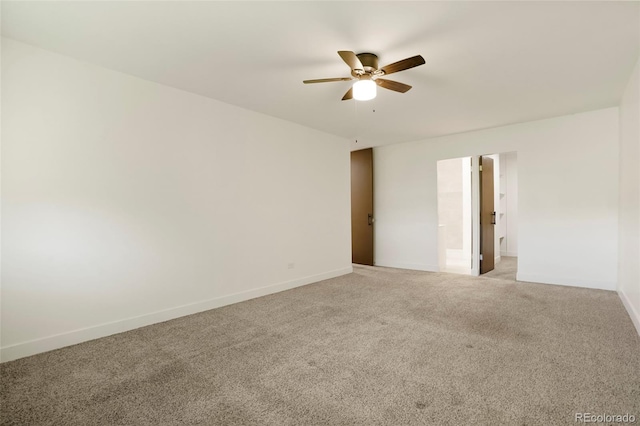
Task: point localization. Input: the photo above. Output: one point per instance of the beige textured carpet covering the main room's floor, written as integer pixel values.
(379, 346)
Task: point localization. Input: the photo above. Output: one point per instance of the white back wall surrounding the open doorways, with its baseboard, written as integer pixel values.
(567, 189)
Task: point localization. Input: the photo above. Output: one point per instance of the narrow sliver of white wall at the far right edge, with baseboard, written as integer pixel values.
(629, 272)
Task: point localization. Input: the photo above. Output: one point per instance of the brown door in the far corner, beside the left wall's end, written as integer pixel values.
(362, 206)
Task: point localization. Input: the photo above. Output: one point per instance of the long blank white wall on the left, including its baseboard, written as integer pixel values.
(126, 202)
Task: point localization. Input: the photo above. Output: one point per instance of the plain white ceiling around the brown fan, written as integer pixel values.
(488, 63)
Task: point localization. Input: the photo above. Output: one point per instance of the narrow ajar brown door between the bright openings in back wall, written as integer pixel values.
(487, 216)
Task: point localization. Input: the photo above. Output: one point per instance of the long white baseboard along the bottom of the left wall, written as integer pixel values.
(32, 347)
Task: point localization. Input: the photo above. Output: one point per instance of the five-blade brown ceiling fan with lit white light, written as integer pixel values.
(364, 69)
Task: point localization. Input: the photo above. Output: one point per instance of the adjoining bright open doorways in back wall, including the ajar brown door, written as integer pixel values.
(477, 213)
